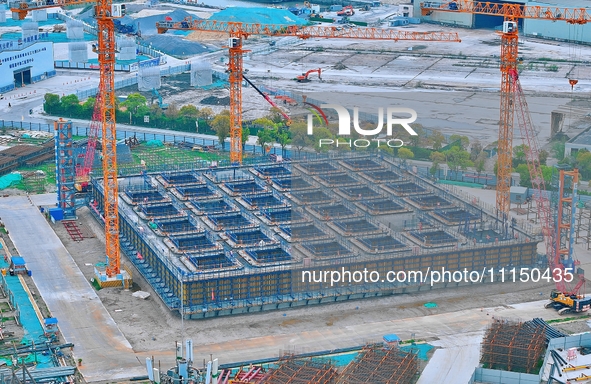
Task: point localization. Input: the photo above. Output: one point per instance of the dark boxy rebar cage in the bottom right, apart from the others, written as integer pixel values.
(513, 346)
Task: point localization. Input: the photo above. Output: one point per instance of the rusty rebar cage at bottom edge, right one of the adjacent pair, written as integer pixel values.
(376, 364)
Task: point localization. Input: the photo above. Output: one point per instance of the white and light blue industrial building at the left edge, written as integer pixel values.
(25, 61)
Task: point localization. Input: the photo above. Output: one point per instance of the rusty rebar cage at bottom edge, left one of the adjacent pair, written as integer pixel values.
(293, 371)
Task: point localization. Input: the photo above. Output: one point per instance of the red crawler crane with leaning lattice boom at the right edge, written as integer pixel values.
(560, 259)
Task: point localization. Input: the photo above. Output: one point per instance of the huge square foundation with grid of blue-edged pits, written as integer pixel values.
(263, 251)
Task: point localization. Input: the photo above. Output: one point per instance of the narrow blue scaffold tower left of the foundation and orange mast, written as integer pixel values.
(65, 168)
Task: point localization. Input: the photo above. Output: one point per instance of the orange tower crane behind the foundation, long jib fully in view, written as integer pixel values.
(240, 31)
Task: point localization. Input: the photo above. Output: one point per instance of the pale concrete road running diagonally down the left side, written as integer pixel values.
(105, 352)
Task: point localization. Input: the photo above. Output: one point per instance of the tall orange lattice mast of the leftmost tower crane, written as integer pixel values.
(106, 59)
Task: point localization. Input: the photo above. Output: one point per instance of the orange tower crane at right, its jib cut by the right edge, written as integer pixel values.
(509, 60)
